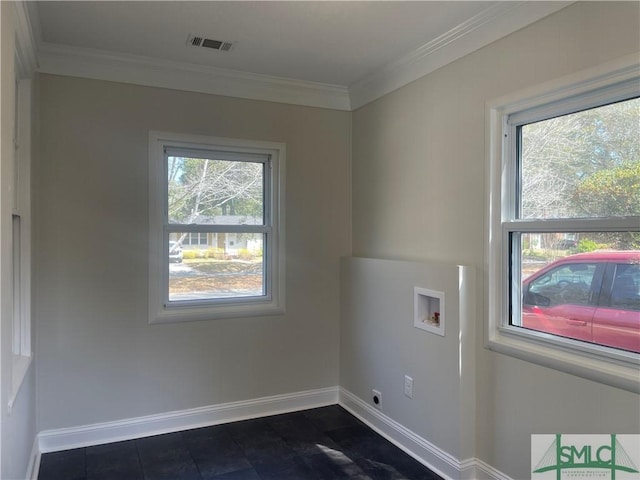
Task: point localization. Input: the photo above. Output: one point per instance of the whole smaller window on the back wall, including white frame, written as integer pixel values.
(216, 228)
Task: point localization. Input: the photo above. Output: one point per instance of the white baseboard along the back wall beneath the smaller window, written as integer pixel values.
(99, 433)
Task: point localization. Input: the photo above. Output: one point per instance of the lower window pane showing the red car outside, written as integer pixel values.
(583, 286)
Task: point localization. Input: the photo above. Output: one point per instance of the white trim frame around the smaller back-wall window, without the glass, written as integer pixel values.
(159, 310)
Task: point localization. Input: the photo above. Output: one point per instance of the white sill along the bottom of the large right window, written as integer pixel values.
(602, 365)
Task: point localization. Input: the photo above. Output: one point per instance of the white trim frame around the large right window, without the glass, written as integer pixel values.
(593, 362)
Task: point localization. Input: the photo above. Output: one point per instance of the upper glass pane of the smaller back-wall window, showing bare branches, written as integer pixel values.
(221, 192)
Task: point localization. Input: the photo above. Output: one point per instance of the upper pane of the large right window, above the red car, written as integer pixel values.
(585, 164)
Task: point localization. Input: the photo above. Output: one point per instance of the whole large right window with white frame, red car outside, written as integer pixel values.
(564, 245)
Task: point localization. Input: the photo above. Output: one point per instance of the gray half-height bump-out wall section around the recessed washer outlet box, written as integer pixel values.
(380, 345)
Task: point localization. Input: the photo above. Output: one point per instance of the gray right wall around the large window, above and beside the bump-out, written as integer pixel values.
(419, 193)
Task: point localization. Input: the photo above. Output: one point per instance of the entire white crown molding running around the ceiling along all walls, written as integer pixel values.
(497, 21)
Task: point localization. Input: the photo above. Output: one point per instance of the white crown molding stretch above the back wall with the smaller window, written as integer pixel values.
(102, 65)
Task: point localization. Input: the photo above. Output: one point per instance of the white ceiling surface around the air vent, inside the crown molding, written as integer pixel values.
(328, 42)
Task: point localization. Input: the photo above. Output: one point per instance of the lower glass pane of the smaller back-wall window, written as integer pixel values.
(229, 265)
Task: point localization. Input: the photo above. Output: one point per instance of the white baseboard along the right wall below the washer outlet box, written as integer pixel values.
(433, 457)
